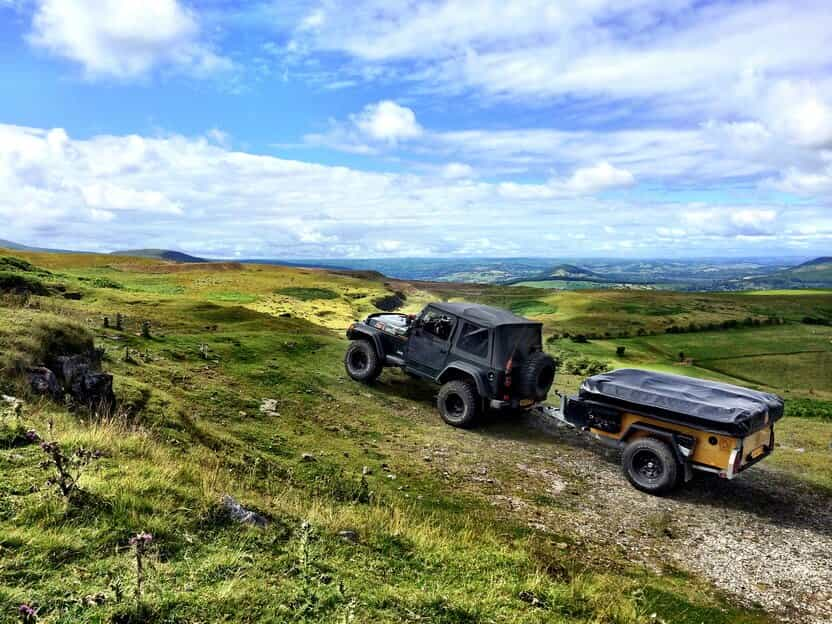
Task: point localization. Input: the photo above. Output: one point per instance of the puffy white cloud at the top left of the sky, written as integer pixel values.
(123, 38)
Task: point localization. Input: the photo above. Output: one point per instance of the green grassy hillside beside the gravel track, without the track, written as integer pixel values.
(373, 512)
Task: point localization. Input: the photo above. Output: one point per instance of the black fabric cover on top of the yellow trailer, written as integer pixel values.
(706, 404)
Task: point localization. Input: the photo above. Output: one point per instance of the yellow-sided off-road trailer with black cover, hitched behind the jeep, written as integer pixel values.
(668, 426)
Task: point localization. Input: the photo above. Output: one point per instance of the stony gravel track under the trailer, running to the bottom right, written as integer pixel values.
(764, 537)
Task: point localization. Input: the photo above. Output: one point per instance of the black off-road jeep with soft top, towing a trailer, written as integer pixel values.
(482, 356)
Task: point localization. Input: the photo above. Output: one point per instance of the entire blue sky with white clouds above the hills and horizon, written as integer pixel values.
(399, 128)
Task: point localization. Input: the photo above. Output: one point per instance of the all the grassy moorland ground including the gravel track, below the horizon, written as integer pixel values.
(376, 510)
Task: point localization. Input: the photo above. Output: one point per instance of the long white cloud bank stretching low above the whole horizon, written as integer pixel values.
(57, 190)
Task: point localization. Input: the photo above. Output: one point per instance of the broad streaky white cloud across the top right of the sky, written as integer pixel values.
(694, 53)
